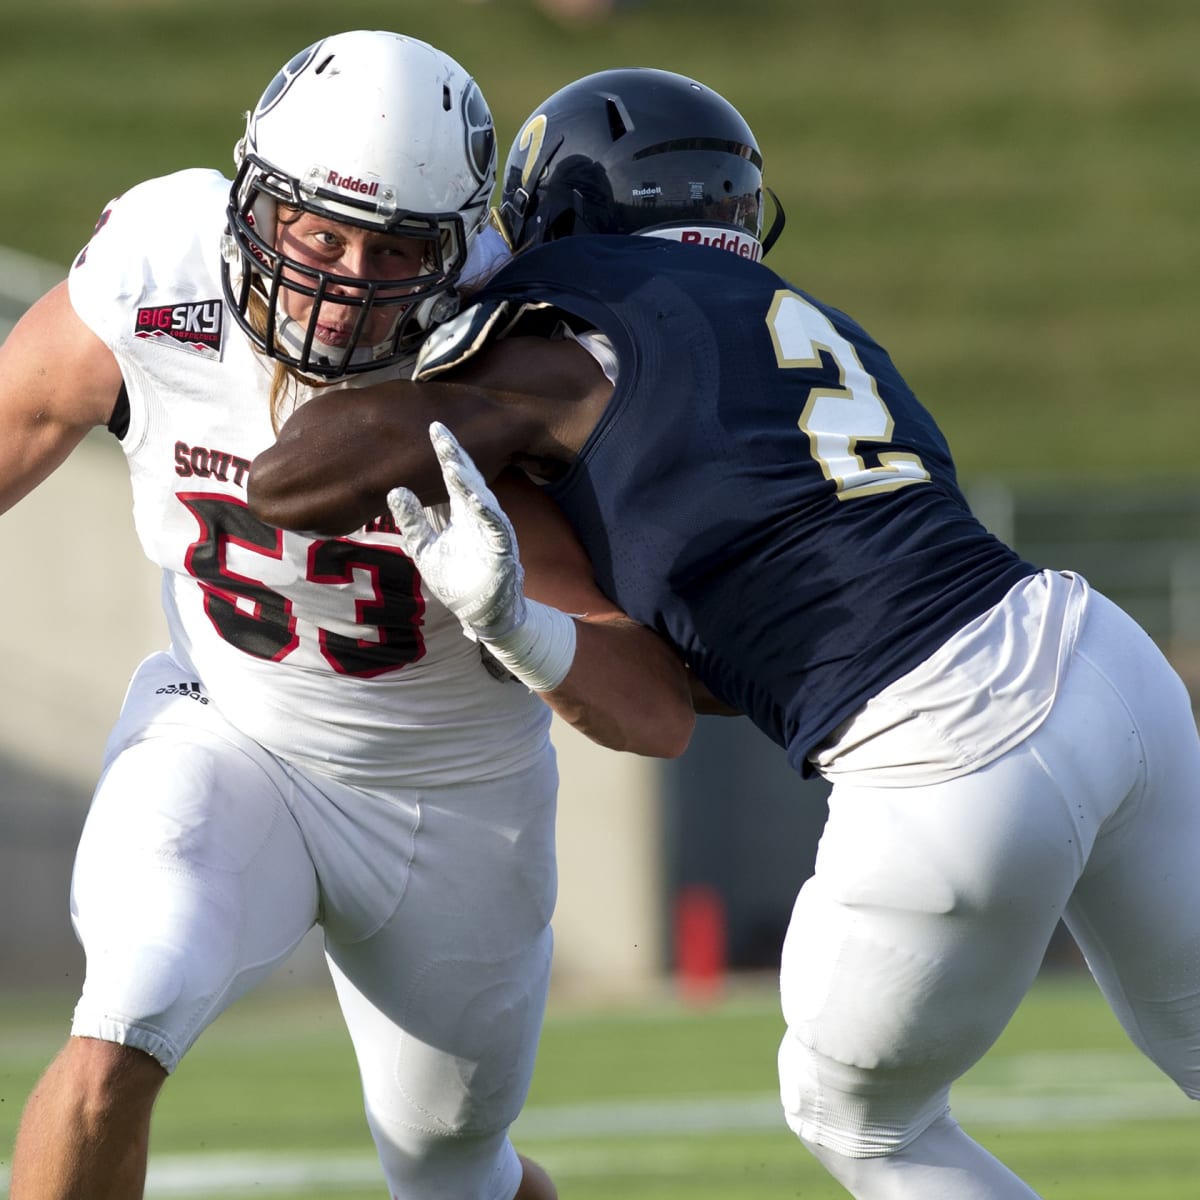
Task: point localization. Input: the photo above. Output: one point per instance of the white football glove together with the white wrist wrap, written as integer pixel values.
(473, 567)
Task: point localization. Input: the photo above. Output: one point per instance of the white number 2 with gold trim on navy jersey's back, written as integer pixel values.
(836, 419)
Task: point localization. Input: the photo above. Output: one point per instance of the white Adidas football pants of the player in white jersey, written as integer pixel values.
(205, 861)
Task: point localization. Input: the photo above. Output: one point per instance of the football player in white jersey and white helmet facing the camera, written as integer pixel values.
(320, 743)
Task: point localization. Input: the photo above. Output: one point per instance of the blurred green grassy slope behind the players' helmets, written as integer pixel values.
(1005, 194)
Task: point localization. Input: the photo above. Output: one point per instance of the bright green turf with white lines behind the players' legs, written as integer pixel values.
(657, 1102)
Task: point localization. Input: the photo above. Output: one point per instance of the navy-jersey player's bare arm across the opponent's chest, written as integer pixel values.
(526, 403)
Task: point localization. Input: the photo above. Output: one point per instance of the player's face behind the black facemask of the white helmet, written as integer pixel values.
(338, 249)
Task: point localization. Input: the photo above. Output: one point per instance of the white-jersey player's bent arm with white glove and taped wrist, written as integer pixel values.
(544, 620)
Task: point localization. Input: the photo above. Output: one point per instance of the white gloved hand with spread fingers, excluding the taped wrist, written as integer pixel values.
(472, 566)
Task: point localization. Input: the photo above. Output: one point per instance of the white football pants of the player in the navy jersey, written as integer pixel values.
(932, 907)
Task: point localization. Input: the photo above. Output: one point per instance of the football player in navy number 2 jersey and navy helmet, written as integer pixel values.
(752, 477)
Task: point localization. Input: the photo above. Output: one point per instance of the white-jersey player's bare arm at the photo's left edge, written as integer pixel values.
(50, 399)
